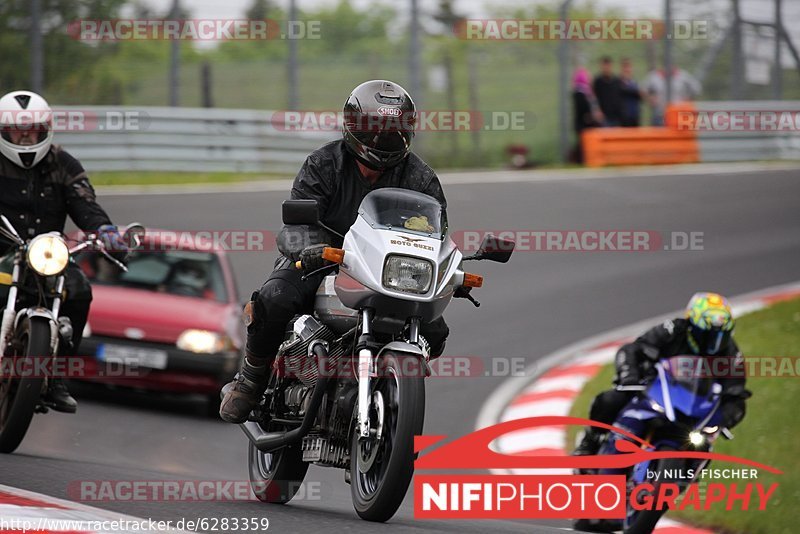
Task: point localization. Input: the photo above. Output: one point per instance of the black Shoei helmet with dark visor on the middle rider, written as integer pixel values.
(379, 121)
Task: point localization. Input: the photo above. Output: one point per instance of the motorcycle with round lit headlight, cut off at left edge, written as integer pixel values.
(31, 330)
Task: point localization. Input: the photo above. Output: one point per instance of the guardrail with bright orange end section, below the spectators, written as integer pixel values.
(703, 132)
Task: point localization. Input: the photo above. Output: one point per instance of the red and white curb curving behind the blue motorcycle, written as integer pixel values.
(551, 385)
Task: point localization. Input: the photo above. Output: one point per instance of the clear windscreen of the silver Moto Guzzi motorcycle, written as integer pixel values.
(404, 210)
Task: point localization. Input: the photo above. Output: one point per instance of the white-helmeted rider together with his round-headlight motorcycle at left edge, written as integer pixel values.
(41, 185)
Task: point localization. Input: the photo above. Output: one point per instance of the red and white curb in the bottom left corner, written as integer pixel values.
(35, 513)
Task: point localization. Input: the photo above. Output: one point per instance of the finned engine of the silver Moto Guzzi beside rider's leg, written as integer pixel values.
(293, 356)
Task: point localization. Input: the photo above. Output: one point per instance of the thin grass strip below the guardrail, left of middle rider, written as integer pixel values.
(174, 178)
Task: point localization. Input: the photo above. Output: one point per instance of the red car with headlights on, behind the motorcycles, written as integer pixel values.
(171, 323)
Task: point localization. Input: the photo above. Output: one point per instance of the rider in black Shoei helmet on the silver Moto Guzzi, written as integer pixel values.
(373, 153)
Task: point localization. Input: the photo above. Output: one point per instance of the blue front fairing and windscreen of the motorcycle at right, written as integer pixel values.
(690, 391)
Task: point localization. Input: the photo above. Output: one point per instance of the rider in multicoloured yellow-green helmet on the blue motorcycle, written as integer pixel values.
(705, 331)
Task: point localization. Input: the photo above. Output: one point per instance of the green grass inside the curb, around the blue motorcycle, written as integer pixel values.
(769, 433)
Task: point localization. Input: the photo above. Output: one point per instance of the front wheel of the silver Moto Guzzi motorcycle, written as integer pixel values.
(381, 468)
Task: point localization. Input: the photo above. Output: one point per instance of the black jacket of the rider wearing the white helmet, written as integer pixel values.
(38, 200)
